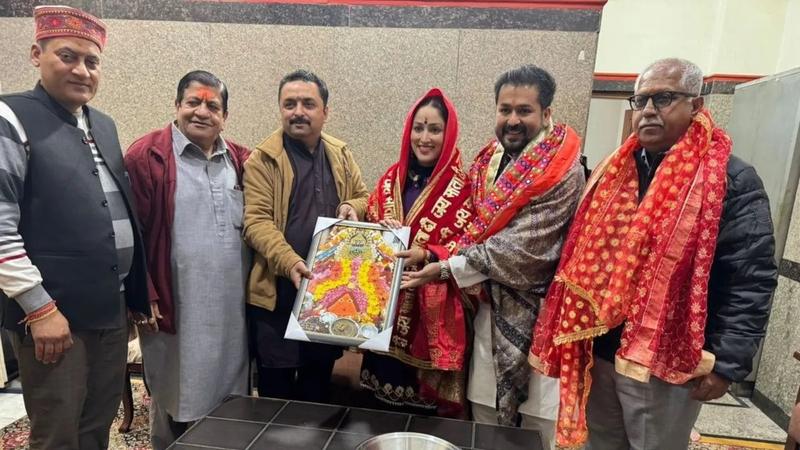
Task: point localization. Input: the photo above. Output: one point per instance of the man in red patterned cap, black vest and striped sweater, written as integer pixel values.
(71, 257)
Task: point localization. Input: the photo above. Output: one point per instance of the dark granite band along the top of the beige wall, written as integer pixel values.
(327, 15)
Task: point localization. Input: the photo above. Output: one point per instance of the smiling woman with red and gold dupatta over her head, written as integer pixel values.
(427, 191)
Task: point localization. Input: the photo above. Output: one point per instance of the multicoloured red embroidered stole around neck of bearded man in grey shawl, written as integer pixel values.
(539, 167)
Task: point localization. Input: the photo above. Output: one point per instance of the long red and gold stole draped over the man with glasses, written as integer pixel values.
(643, 264)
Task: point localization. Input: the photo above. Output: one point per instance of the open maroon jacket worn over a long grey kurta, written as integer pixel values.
(150, 163)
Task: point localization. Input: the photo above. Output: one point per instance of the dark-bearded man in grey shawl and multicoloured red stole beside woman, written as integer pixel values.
(525, 188)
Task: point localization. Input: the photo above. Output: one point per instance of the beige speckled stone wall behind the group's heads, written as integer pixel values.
(374, 75)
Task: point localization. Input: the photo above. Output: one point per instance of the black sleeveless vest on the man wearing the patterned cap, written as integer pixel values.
(64, 220)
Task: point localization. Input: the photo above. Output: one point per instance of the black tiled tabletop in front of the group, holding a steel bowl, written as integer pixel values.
(303, 426)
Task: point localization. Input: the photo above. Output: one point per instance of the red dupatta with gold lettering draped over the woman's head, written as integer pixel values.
(430, 328)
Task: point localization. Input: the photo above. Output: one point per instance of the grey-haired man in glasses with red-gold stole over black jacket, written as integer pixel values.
(666, 276)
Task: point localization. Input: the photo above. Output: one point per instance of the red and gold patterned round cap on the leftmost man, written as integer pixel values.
(65, 21)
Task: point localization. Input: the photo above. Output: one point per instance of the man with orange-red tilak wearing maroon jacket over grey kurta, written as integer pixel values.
(187, 181)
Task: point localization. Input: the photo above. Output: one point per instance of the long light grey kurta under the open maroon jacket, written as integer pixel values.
(192, 371)
